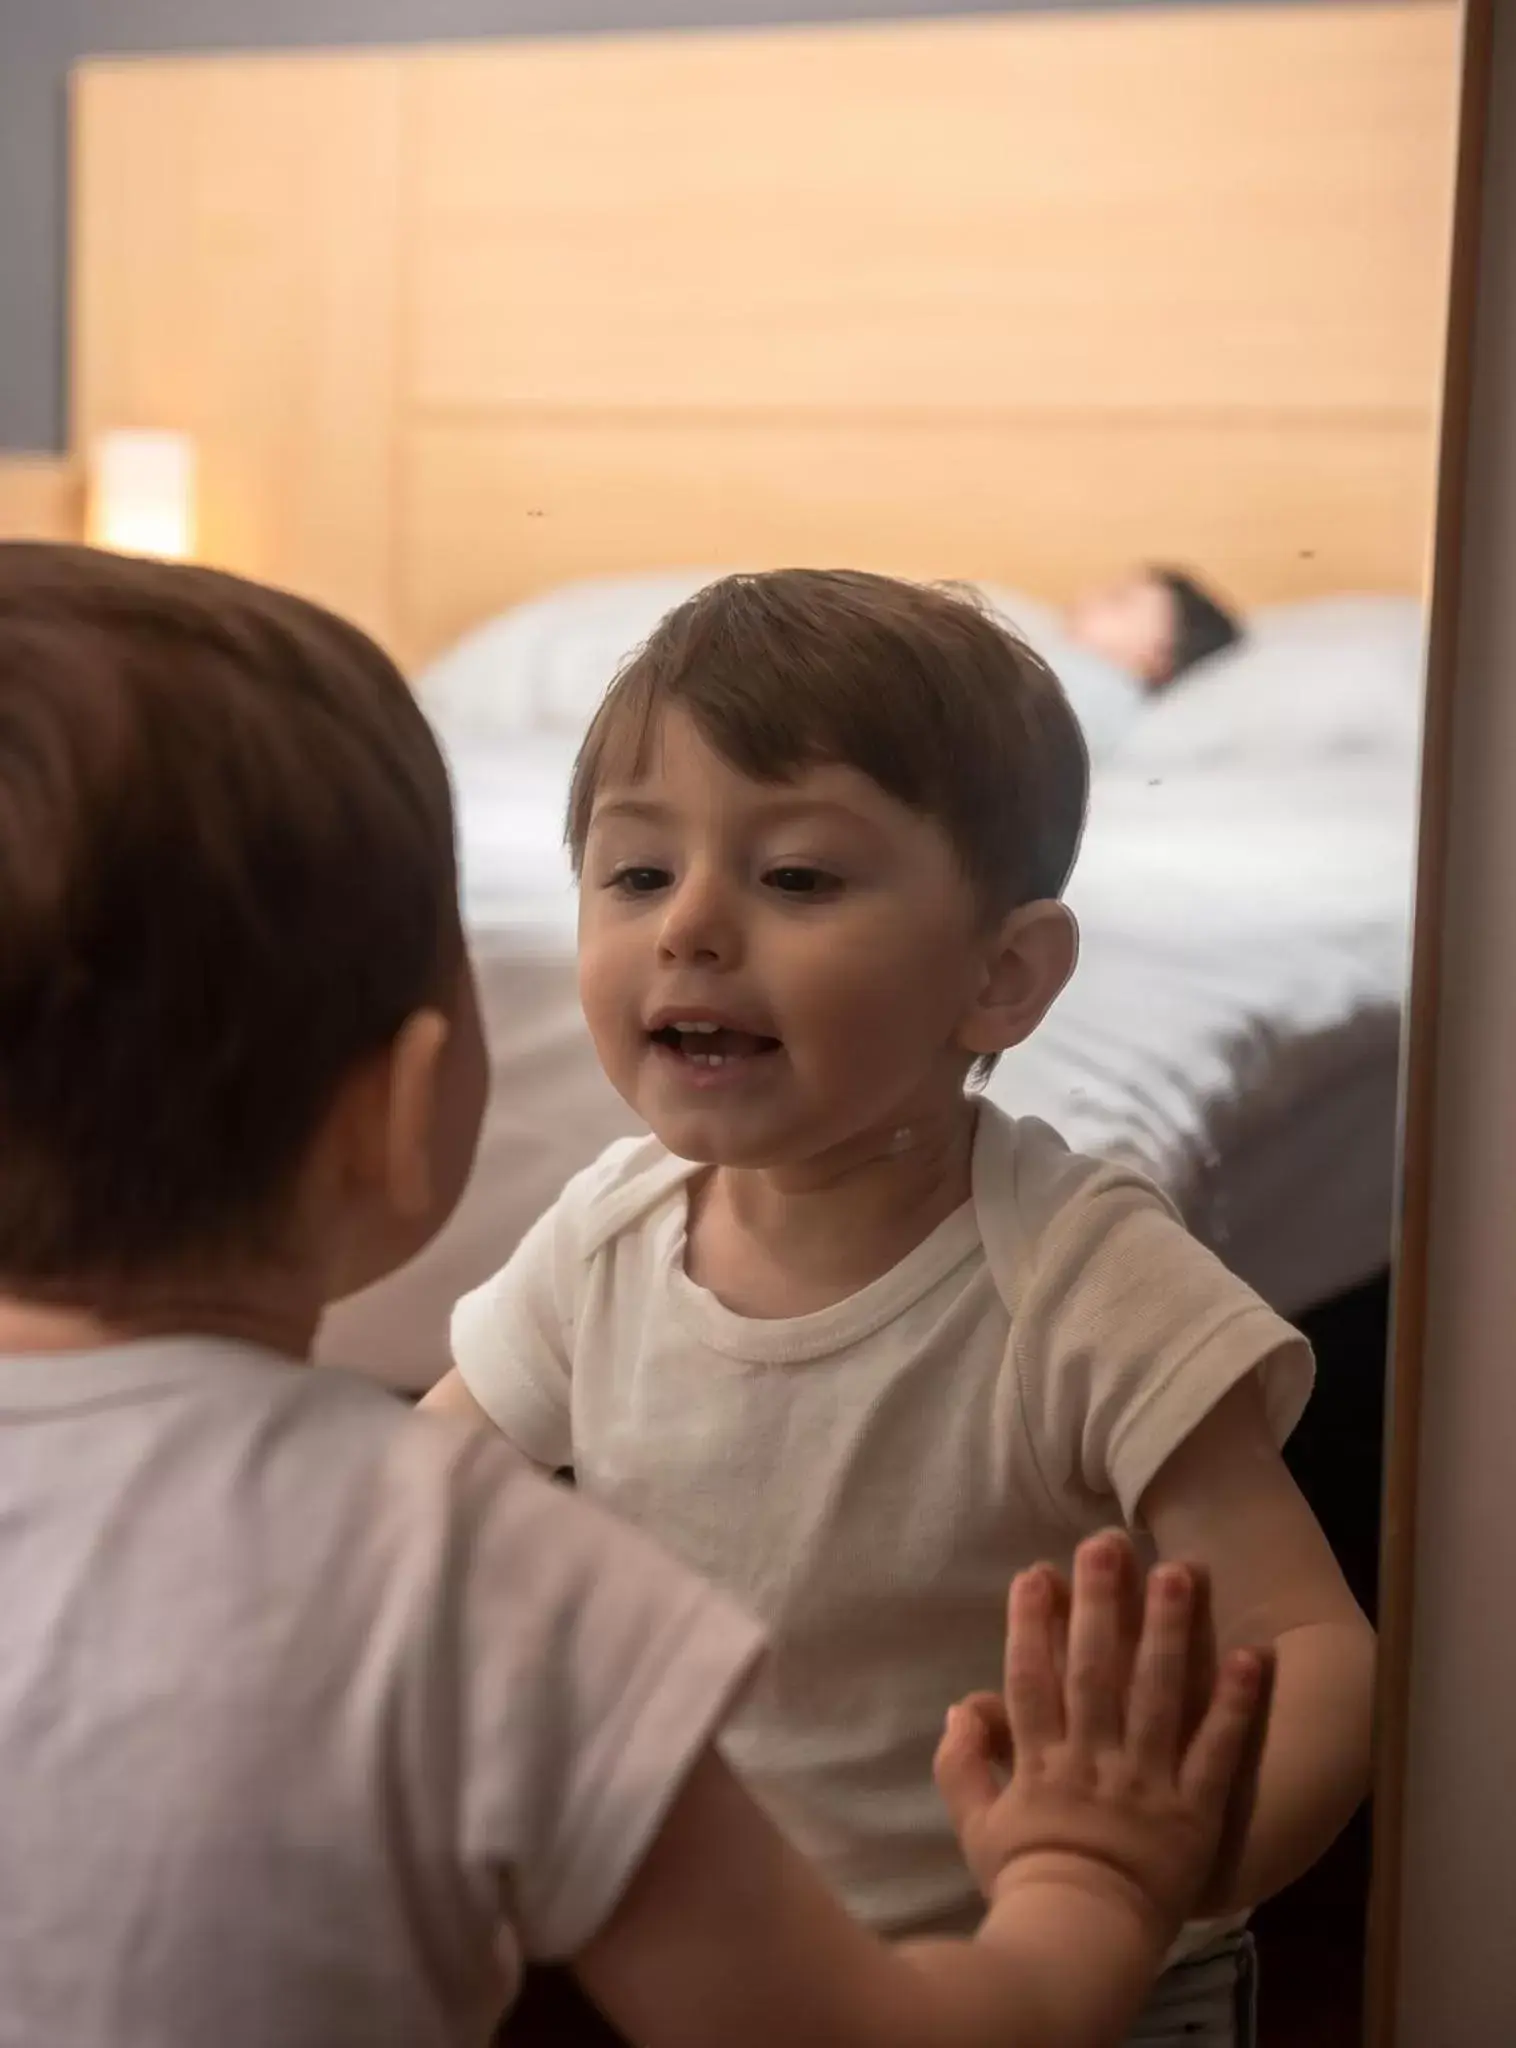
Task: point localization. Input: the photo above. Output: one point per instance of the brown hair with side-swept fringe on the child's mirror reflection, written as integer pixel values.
(917, 687)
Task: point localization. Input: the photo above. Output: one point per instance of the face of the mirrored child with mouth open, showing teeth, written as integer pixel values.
(827, 931)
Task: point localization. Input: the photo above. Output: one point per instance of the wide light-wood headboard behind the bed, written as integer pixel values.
(1017, 300)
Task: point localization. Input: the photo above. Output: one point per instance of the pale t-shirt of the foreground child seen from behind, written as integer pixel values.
(317, 1717)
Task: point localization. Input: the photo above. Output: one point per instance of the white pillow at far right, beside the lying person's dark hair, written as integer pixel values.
(1310, 683)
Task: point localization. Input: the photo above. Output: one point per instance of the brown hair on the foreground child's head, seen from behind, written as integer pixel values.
(226, 876)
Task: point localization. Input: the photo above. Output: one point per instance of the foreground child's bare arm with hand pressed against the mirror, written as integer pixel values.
(1099, 1842)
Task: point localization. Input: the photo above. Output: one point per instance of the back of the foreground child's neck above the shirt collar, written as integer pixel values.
(276, 1318)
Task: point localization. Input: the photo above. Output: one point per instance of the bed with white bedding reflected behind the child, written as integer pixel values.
(1243, 894)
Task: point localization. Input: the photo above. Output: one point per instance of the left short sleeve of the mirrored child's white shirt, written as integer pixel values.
(513, 1340)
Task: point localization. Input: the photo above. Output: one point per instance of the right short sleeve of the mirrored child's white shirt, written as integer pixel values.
(1128, 1334)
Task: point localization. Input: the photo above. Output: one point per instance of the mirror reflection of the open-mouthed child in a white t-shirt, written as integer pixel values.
(841, 1334)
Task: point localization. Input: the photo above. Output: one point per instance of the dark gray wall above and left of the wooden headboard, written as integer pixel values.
(40, 40)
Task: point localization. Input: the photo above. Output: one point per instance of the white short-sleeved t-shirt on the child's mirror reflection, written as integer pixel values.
(868, 1478)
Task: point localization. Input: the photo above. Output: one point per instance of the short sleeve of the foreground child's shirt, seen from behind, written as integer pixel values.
(593, 1674)
